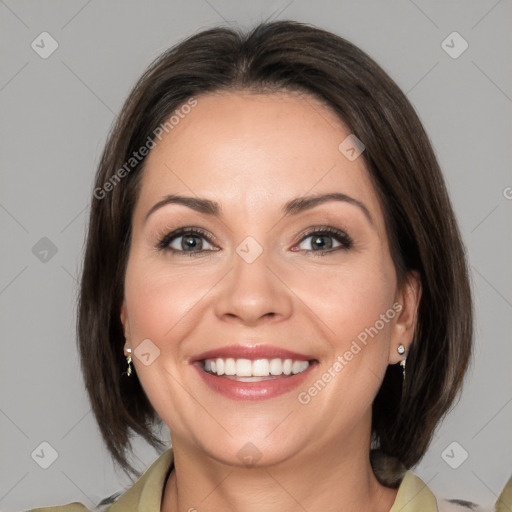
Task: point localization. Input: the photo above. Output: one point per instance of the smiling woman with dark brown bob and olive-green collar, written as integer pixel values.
(274, 271)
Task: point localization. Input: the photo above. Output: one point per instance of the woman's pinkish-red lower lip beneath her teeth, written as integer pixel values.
(262, 390)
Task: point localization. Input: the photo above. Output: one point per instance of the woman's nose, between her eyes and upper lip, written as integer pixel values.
(253, 293)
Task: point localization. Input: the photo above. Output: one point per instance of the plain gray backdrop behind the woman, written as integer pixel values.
(56, 113)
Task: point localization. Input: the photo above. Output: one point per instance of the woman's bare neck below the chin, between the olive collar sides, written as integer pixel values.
(337, 479)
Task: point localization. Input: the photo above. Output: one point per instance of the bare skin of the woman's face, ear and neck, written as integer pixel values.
(252, 153)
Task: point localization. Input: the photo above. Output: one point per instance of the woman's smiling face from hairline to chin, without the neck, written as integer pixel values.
(270, 274)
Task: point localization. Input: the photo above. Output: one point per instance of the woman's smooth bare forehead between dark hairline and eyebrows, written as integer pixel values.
(242, 148)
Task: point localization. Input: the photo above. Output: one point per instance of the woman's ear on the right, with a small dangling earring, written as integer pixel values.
(407, 302)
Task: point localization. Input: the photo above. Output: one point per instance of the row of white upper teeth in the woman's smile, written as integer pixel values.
(256, 368)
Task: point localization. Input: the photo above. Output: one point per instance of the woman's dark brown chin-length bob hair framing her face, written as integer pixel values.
(421, 226)
